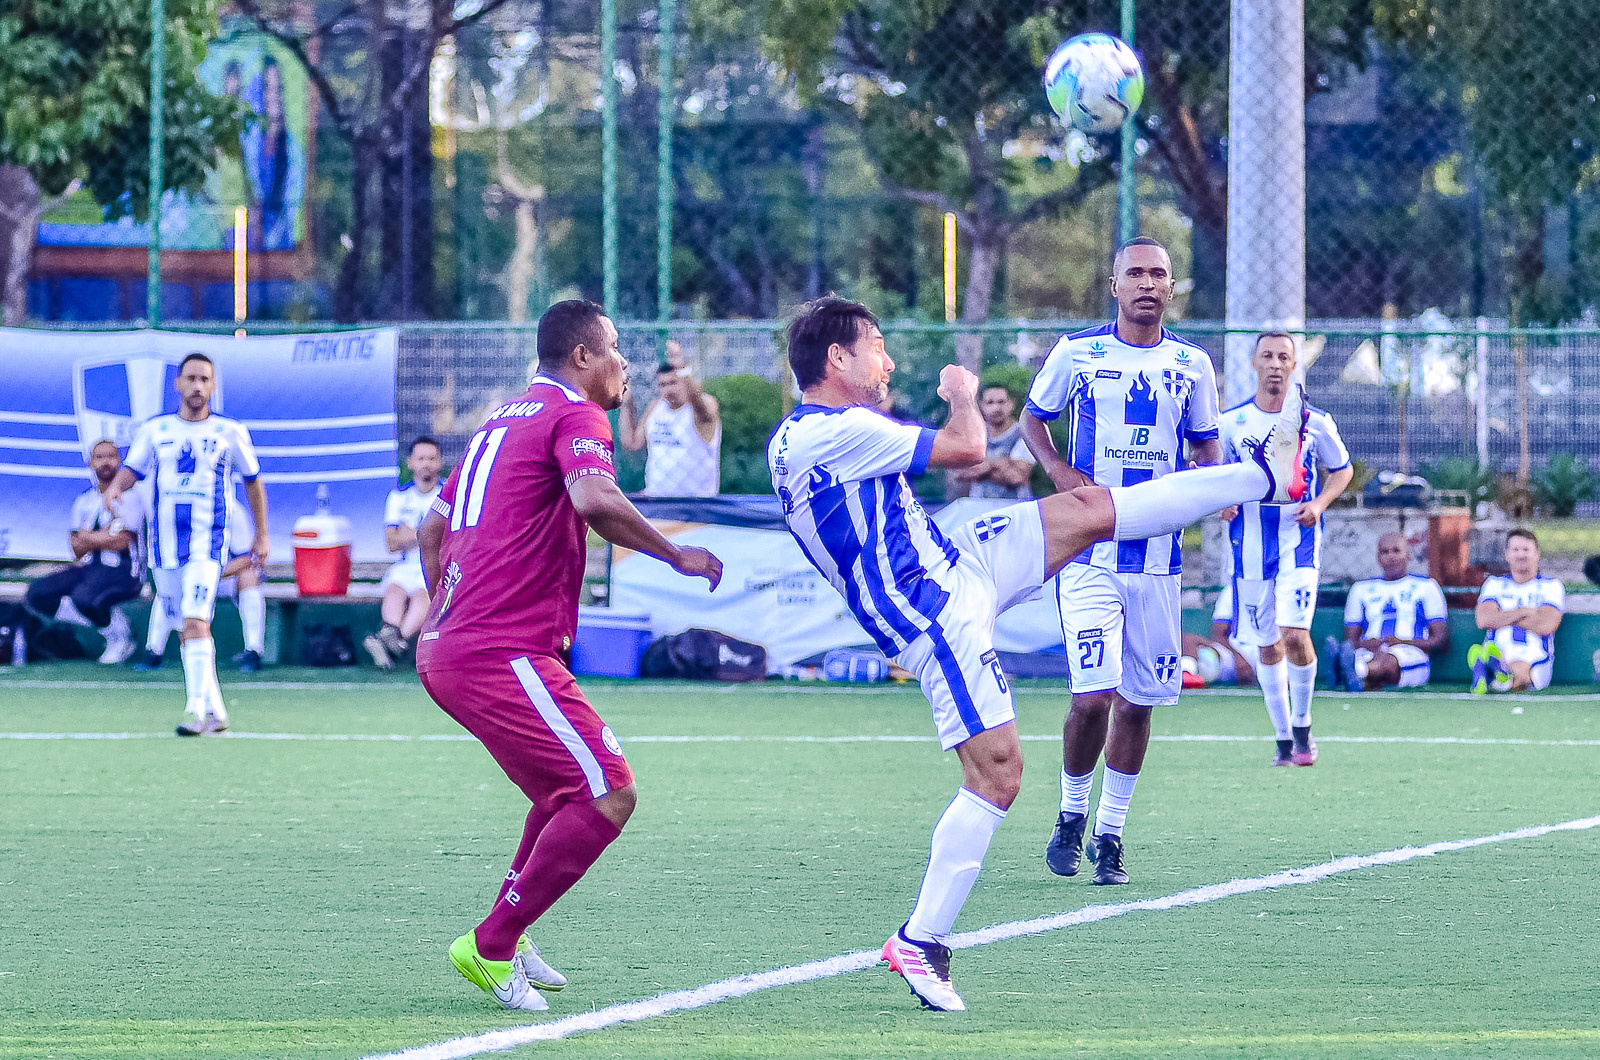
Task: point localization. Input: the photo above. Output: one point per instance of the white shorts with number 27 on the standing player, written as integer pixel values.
(1122, 632)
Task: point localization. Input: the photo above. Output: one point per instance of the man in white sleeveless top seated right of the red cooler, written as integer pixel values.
(406, 592)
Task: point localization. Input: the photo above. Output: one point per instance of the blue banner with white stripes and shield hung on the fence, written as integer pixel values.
(321, 411)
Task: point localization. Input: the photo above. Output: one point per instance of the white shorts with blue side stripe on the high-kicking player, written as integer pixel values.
(1002, 563)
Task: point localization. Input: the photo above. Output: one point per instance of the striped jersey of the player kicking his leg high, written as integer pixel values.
(841, 475)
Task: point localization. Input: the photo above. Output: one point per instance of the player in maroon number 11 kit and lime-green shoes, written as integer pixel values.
(503, 550)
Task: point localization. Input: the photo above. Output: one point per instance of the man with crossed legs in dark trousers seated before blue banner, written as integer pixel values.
(108, 547)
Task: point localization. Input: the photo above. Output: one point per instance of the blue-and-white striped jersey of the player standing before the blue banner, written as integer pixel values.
(190, 465)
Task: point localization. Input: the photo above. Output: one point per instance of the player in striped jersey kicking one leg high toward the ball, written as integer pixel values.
(930, 601)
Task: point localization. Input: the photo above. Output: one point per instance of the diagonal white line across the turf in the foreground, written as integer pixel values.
(862, 960)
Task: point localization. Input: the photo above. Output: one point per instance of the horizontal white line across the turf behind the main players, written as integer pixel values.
(462, 737)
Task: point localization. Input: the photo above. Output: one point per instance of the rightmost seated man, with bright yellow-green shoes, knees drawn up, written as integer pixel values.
(1521, 614)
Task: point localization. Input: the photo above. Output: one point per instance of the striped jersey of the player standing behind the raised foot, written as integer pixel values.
(1266, 537)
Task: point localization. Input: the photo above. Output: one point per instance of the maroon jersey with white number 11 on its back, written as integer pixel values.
(513, 560)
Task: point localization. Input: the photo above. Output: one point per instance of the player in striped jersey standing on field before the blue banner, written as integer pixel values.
(191, 457)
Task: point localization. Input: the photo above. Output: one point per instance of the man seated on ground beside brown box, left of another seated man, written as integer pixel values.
(1393, 627)
